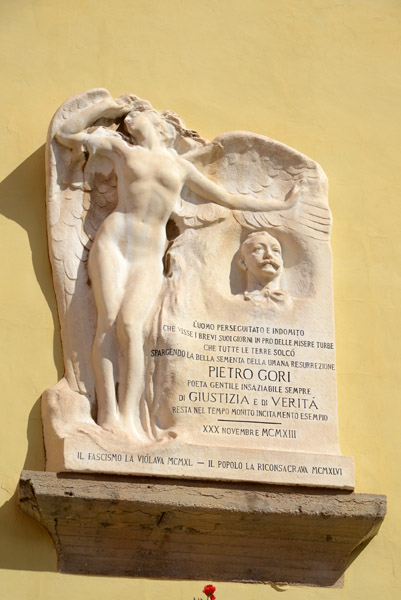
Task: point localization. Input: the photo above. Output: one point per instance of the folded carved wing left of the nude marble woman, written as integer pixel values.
(81, 192)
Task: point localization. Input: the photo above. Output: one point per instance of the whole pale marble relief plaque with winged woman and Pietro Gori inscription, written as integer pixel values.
(160, 243)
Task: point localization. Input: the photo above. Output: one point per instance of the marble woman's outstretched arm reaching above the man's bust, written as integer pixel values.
(208, 190)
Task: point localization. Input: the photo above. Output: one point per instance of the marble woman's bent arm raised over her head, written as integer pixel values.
(71, 133)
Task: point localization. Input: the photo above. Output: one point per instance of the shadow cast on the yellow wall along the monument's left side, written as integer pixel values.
(22, 199)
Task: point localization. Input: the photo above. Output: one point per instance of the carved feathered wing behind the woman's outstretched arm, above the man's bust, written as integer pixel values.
(254, 165)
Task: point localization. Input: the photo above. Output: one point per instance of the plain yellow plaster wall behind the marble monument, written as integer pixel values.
(320, 75)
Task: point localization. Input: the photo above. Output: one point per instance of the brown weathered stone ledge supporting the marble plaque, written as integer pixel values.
(212, 531)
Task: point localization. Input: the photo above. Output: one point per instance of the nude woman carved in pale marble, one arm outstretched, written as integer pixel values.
(126, 258)
